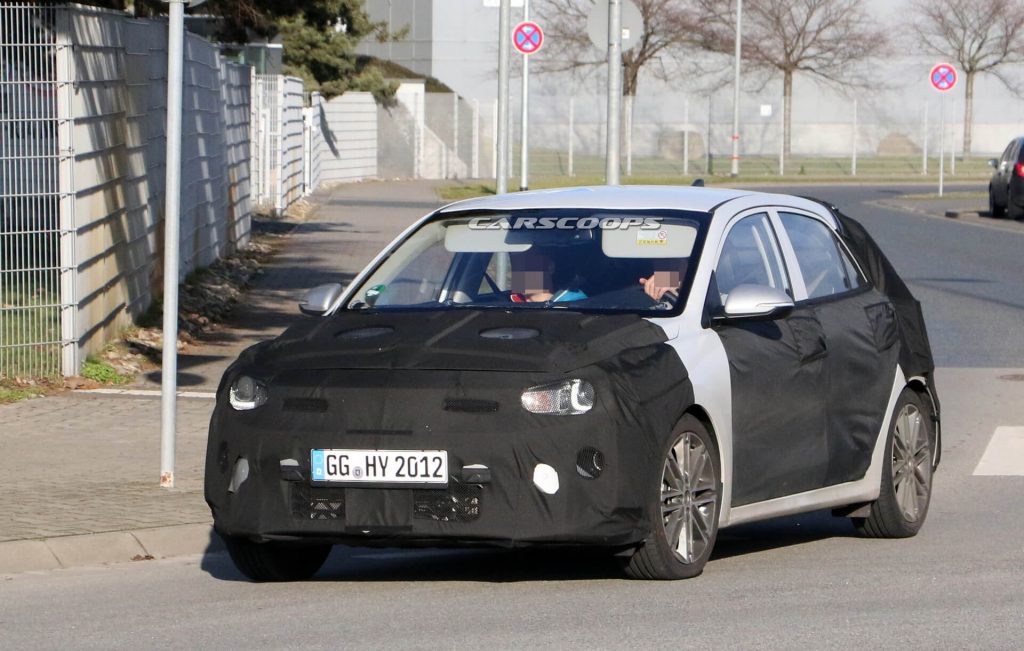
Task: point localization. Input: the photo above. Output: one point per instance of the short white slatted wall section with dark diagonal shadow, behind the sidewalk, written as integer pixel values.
(349, 139)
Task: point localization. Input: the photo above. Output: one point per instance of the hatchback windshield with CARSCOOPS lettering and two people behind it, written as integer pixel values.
(556, 259)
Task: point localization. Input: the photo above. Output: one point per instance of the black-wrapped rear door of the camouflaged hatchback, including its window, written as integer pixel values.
(862, 336)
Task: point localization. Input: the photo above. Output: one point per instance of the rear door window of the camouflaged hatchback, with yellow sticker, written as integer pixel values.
(826, 267)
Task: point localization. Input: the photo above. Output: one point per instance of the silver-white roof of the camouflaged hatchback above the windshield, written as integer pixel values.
(606, 197)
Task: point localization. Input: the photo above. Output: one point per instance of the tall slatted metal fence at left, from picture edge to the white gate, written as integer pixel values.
(82, 114)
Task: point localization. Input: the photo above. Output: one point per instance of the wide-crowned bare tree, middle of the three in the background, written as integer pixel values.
(826, 39)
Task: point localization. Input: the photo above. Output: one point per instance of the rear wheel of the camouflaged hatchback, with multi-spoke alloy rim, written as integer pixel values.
(901, 514)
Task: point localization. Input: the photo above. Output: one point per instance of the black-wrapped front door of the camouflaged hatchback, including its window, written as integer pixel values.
(778, 373)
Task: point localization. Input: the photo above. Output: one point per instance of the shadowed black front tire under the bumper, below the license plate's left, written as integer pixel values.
(276, 562)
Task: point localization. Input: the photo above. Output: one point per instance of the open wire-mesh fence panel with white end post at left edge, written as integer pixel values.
(36, 262)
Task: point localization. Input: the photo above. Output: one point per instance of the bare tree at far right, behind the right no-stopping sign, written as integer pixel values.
(979, 35)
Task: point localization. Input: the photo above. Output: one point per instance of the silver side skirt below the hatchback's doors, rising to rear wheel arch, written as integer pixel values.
(864, 490)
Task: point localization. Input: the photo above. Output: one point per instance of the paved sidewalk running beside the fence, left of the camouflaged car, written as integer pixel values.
(79, 470)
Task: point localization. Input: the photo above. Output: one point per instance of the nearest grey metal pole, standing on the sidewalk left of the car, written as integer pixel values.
(173, 208)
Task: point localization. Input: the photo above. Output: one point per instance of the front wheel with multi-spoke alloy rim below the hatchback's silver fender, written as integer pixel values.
(657, 557)
